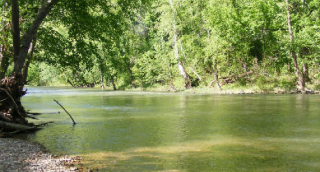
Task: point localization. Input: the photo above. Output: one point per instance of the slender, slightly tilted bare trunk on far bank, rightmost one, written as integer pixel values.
(301, 83)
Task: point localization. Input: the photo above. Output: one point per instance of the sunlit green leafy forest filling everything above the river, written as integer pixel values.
(169, 45)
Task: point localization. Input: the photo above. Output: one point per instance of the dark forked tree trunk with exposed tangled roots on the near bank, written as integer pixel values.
(11, 89)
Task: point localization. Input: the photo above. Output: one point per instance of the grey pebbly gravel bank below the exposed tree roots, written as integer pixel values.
(20, 155)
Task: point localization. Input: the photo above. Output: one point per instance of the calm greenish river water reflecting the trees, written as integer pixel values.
(141, 131)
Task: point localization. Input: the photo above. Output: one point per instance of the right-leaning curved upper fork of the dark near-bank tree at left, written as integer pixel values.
(29, 35)
